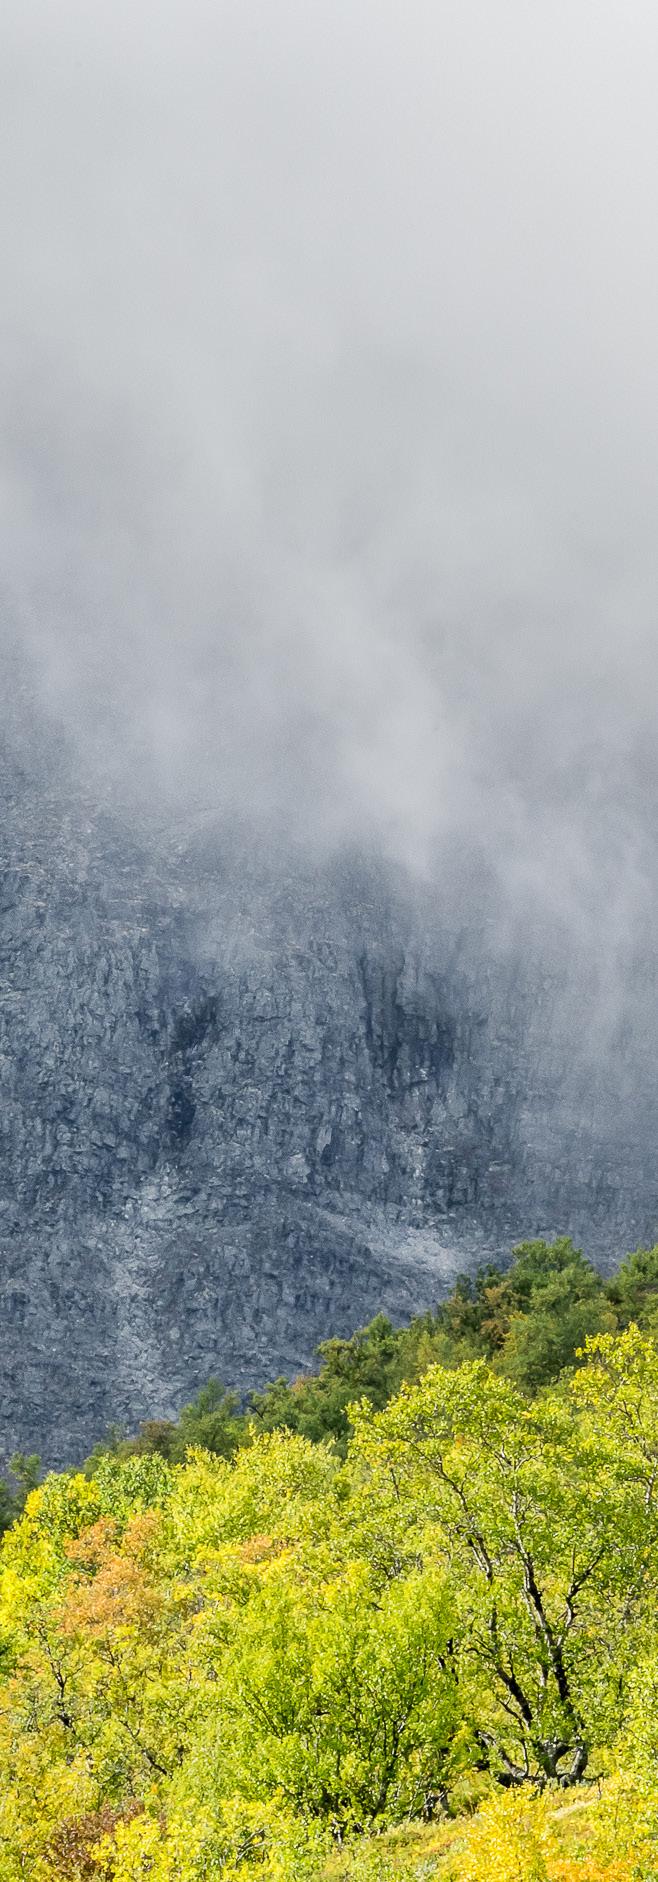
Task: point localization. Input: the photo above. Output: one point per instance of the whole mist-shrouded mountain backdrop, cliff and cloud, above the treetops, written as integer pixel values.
(330, 671)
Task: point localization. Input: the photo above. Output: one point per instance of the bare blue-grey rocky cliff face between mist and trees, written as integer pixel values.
(247, 1104)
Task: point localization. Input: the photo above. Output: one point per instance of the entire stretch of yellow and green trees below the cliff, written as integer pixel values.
(396, 1619)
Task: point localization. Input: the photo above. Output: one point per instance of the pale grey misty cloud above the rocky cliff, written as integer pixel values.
(330, 415)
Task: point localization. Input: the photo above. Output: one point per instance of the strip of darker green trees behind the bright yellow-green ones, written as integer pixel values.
(527, 1320)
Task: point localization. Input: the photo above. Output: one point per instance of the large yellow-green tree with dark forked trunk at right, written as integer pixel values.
(554, 1548)
